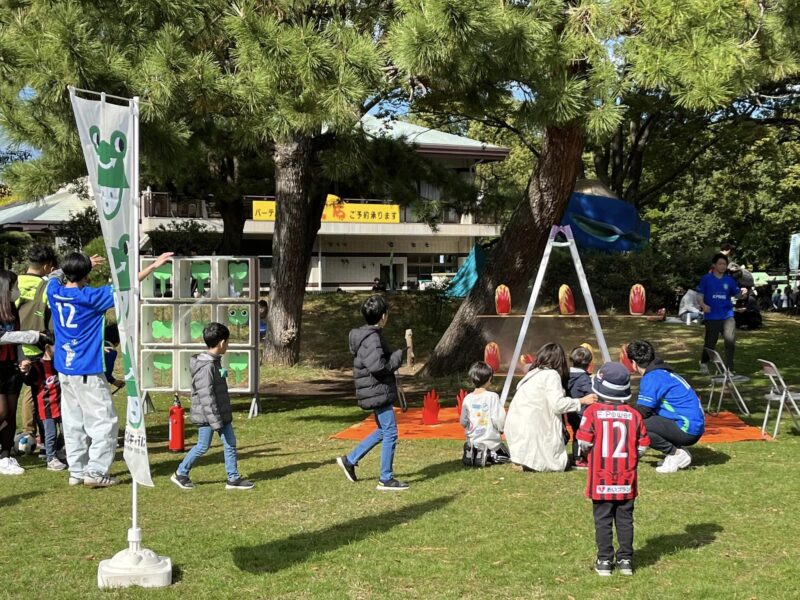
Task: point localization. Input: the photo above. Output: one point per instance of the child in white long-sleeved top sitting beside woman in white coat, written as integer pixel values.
(483, 418)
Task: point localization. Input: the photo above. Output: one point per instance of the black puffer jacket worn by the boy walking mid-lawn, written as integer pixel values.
(374, 365)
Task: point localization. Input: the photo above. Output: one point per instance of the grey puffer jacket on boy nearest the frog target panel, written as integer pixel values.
(211, 404)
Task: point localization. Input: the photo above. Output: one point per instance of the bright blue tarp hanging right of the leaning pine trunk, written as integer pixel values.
(604, 223)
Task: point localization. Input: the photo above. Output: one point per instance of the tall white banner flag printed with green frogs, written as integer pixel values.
(109, 135)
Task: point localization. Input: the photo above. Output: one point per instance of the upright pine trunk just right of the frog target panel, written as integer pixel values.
(298, 214)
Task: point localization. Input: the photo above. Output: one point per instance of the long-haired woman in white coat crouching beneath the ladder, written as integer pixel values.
(534, 428)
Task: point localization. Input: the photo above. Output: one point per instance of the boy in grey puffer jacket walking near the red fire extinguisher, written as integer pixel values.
(211, 410)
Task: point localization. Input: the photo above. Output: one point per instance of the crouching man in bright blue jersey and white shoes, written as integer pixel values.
(670, 407)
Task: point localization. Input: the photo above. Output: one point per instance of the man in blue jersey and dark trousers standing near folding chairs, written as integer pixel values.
(716, 292)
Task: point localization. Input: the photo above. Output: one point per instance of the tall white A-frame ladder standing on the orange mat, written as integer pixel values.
(537, 286)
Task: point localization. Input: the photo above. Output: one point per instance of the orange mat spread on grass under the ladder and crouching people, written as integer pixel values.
(724, 427)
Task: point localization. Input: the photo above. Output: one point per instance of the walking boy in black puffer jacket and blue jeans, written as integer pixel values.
(374, 366)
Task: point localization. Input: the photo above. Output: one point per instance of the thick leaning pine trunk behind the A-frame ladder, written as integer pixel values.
(513, 261)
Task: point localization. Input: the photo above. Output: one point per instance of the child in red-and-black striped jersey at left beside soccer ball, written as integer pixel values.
(42, 377)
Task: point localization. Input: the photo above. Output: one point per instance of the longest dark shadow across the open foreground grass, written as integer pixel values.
(295, 549)
